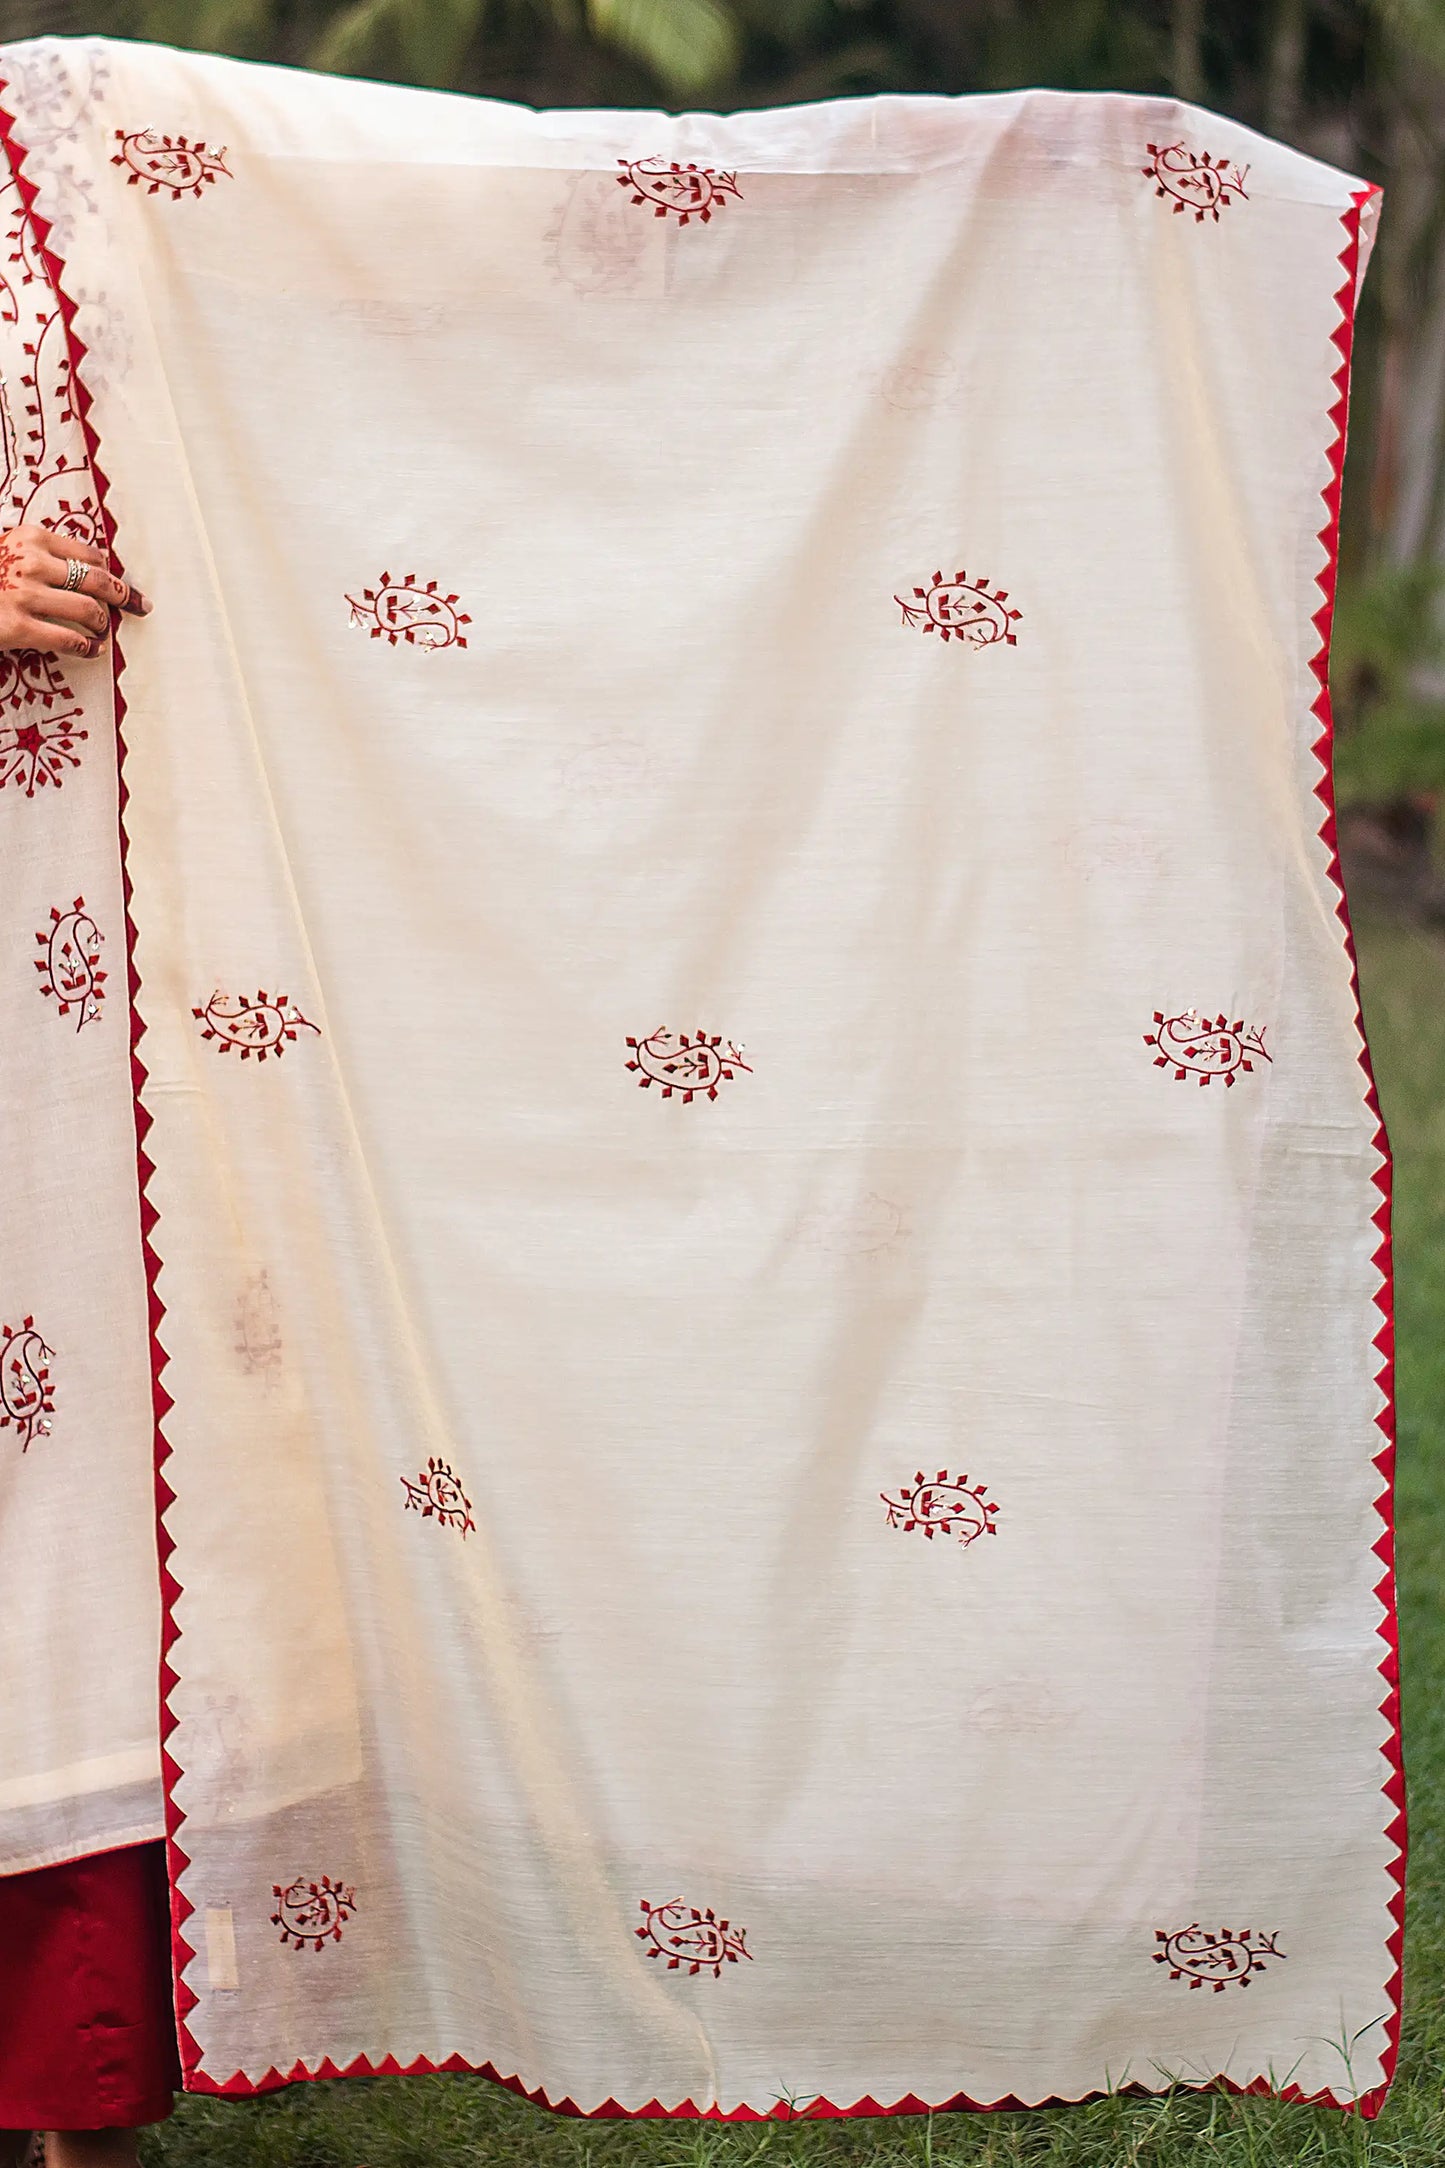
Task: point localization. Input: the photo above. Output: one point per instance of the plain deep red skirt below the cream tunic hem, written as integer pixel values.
(88, 2032)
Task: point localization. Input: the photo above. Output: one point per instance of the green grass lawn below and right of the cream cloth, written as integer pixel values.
(454, 2121)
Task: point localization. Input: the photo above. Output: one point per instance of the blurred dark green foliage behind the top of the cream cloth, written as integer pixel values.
(1359, 83)
